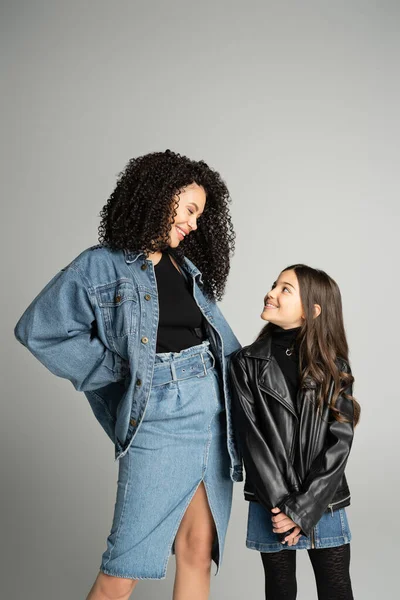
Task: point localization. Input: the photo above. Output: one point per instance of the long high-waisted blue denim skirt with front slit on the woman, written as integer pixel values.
(180, 443)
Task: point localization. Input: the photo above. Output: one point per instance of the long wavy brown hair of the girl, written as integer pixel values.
(322, 341)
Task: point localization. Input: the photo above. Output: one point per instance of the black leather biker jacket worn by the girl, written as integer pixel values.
(294, 456)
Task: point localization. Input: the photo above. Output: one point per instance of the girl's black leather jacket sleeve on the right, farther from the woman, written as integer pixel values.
(307, 507)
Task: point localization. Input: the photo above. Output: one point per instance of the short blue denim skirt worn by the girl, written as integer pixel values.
(330, 531)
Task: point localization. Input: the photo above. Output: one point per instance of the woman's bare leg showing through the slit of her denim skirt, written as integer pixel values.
(193, 548)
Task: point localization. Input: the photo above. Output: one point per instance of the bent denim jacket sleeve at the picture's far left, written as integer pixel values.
(59, 328)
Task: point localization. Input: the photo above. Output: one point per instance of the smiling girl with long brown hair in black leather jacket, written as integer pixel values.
(295, 414)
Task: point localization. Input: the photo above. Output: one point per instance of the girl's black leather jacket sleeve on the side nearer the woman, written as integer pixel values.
(270, 484)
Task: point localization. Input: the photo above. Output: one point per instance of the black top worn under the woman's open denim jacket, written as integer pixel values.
(180, 321)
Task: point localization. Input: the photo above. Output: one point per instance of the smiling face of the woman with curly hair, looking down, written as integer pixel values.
(191, 203)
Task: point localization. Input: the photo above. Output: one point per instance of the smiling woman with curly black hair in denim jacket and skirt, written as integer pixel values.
(134, 324)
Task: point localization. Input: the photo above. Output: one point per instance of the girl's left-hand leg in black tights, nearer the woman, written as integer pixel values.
(280, 575)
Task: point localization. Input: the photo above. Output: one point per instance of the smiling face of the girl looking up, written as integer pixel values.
(282, 304)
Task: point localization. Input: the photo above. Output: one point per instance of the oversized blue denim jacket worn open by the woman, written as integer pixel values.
(95, 323)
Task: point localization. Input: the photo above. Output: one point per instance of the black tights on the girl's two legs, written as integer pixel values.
(331, 570)
